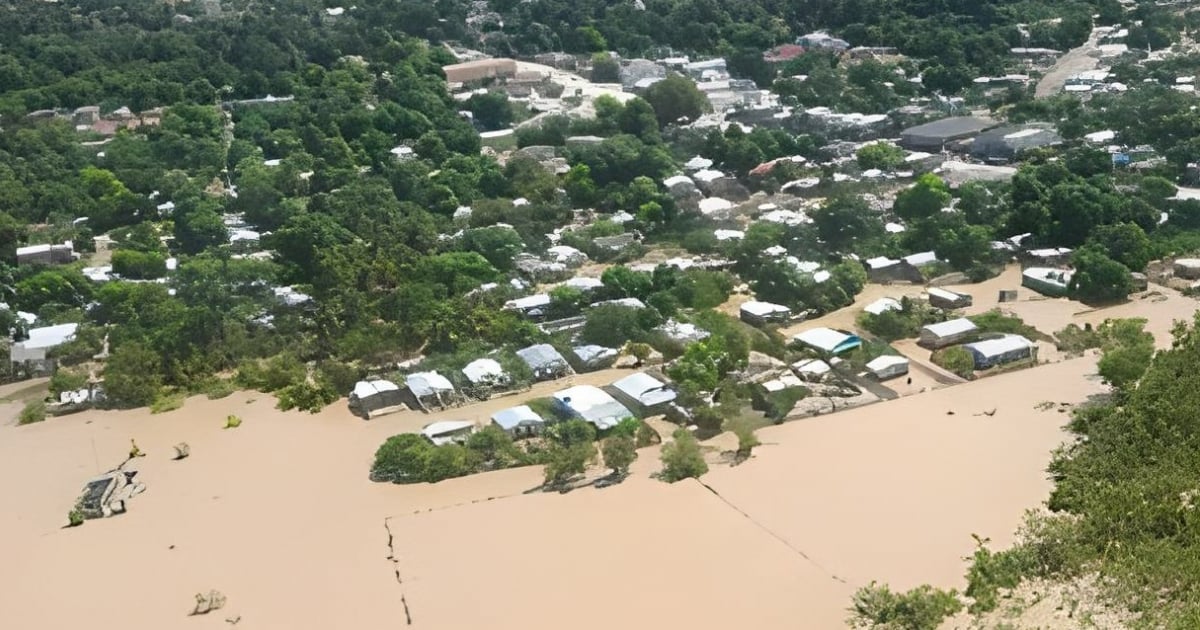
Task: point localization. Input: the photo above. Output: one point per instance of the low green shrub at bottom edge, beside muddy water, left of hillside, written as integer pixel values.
(921, 609)
